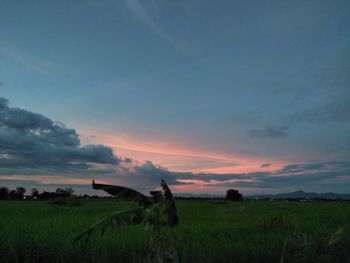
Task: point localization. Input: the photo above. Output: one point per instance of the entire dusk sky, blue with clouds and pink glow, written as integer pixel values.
(251, 95)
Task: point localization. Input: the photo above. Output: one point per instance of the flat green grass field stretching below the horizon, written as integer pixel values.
(209, 231)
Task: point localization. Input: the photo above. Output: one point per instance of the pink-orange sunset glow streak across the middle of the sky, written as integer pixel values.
(175, 155)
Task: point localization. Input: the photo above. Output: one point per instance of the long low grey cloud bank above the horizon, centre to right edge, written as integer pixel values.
(295, 175)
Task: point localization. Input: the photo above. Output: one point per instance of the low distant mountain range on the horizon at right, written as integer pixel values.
(301, 195)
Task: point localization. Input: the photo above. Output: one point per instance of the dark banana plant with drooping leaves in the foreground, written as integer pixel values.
(157, 211)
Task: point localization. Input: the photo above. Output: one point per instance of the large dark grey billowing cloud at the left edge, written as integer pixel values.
(32, 143)
